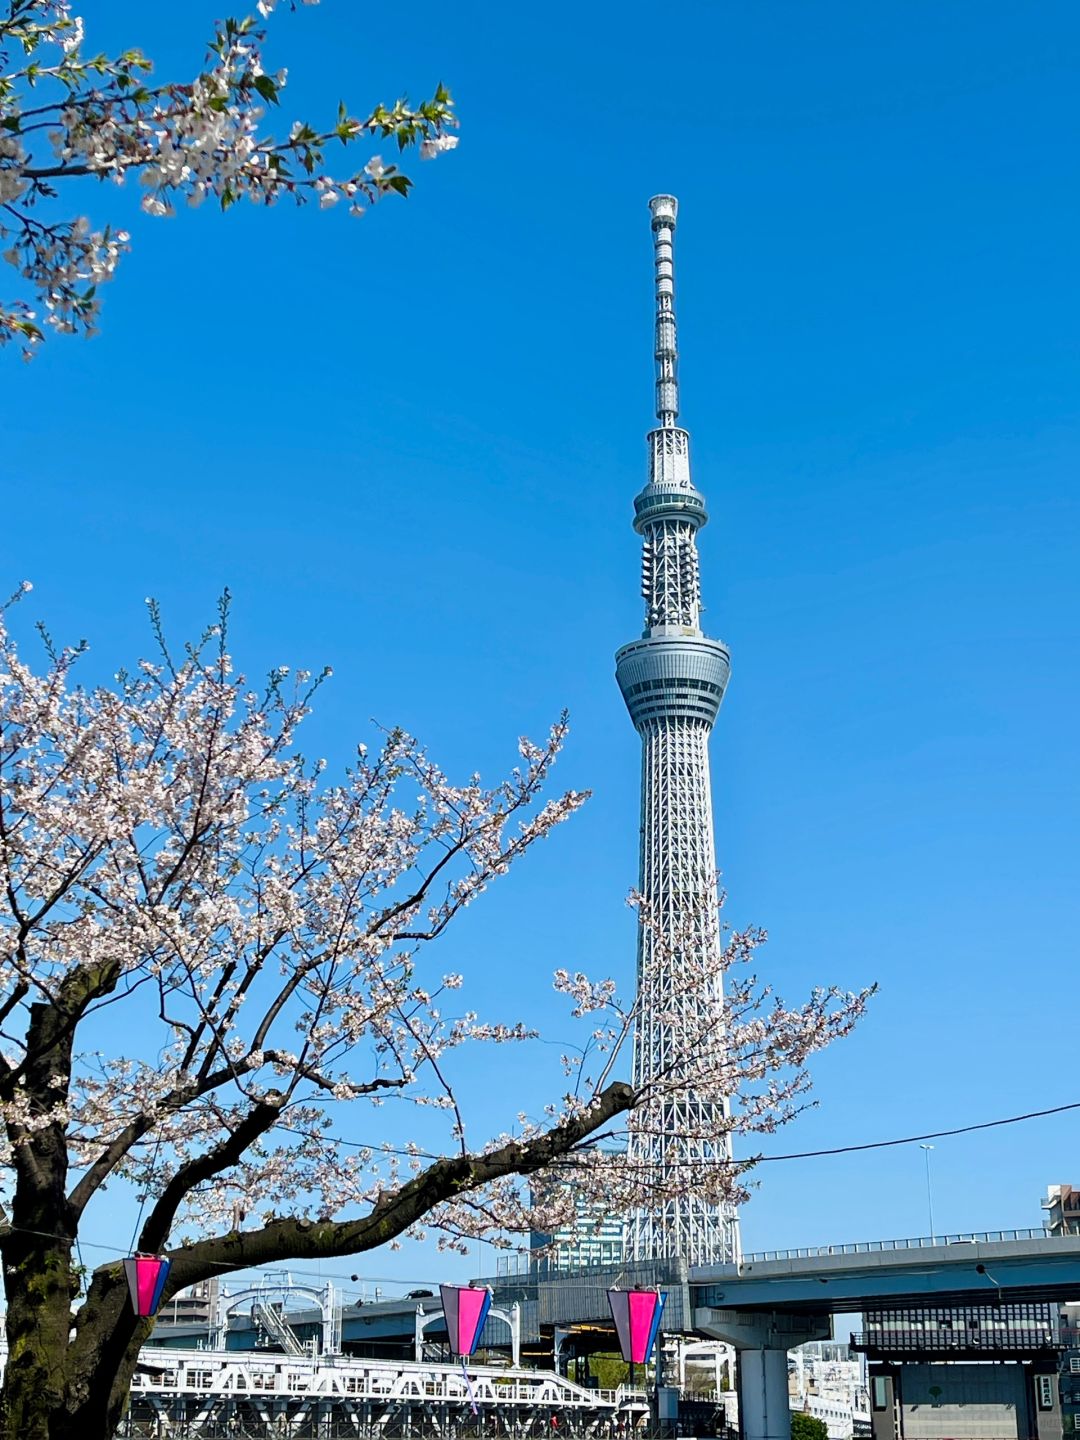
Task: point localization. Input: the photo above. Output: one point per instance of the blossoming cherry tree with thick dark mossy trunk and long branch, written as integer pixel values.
(215, 970)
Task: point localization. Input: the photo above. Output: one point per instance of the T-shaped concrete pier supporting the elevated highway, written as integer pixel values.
(762, 1341)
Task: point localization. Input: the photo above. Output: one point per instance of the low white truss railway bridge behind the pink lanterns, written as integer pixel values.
(235, 1393)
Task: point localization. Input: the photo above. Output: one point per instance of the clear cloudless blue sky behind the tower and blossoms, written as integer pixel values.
(410, 444)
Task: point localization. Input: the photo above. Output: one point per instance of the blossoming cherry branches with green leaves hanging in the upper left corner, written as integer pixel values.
(67, 114)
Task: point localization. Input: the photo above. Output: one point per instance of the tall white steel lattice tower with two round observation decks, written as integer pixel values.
(673, 682)
